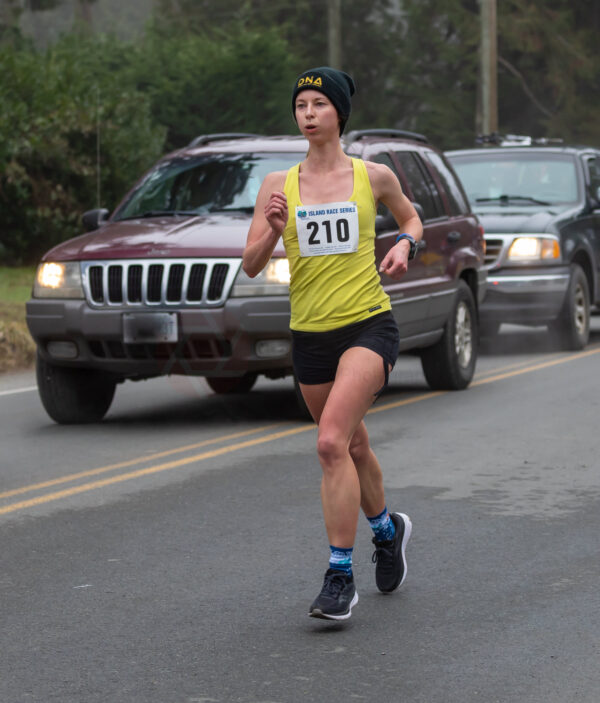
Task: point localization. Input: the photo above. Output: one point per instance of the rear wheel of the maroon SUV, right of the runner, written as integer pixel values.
(450, 363)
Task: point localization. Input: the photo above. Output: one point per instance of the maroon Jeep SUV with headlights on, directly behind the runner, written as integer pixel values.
(157, 288)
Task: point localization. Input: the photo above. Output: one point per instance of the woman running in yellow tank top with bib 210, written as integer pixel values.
(345, 338)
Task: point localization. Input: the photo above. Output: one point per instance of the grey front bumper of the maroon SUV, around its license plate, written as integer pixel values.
(211, 341)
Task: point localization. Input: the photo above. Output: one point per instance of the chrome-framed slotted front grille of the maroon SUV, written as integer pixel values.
(159, 283)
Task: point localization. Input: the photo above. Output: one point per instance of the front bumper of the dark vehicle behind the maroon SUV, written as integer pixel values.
(525, 296)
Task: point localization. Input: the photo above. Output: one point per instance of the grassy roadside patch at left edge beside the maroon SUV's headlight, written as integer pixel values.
(17, 349)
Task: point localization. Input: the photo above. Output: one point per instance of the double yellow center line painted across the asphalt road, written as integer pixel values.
(47, 498)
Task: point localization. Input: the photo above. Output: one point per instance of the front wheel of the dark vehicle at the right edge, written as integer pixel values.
(572, 327)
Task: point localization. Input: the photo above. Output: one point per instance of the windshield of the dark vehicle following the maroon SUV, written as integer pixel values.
(526, 179)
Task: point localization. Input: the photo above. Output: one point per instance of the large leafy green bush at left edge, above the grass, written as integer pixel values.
(54, 106)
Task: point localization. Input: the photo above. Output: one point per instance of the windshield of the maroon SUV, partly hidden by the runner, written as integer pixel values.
(196, 185)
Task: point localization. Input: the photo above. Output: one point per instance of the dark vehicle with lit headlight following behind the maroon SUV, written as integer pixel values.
(539, 204)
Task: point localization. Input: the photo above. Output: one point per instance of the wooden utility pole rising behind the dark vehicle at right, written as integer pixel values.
(489, 67)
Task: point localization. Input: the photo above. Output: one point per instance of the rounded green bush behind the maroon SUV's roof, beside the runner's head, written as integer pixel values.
(239, 82)
